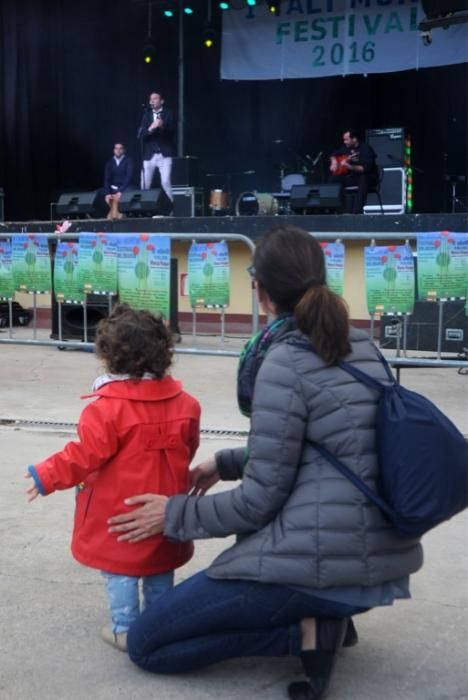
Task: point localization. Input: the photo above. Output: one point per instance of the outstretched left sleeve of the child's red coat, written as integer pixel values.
(97, 443)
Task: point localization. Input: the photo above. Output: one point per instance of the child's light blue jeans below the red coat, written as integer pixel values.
(124, 598)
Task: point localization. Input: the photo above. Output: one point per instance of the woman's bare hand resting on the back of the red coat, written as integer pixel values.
(143, 522)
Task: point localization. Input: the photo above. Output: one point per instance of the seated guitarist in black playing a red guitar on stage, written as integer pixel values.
(353, 165)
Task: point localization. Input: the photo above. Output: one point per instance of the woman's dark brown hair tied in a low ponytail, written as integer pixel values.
(290, 266)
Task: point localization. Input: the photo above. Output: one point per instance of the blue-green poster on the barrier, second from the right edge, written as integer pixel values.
(389, 275)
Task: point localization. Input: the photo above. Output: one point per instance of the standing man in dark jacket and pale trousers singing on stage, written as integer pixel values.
(157, 136)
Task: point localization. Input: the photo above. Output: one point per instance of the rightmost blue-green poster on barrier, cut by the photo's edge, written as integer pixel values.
(442, 265)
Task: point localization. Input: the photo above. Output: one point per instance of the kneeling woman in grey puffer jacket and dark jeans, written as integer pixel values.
(312, 550)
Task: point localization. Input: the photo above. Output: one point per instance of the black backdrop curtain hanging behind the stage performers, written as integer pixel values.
(72, 82)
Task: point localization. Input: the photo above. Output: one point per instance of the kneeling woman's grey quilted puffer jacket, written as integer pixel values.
(303, 523)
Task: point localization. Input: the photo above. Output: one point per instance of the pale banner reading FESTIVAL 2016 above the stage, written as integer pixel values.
(318, 38)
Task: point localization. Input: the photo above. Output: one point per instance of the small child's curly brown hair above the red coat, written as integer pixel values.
(133, 342)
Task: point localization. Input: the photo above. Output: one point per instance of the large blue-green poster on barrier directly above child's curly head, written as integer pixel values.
(144, 272)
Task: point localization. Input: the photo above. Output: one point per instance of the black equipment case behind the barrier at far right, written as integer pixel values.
(422, 328)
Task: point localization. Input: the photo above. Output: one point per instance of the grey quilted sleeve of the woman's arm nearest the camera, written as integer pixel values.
(275, 446)
